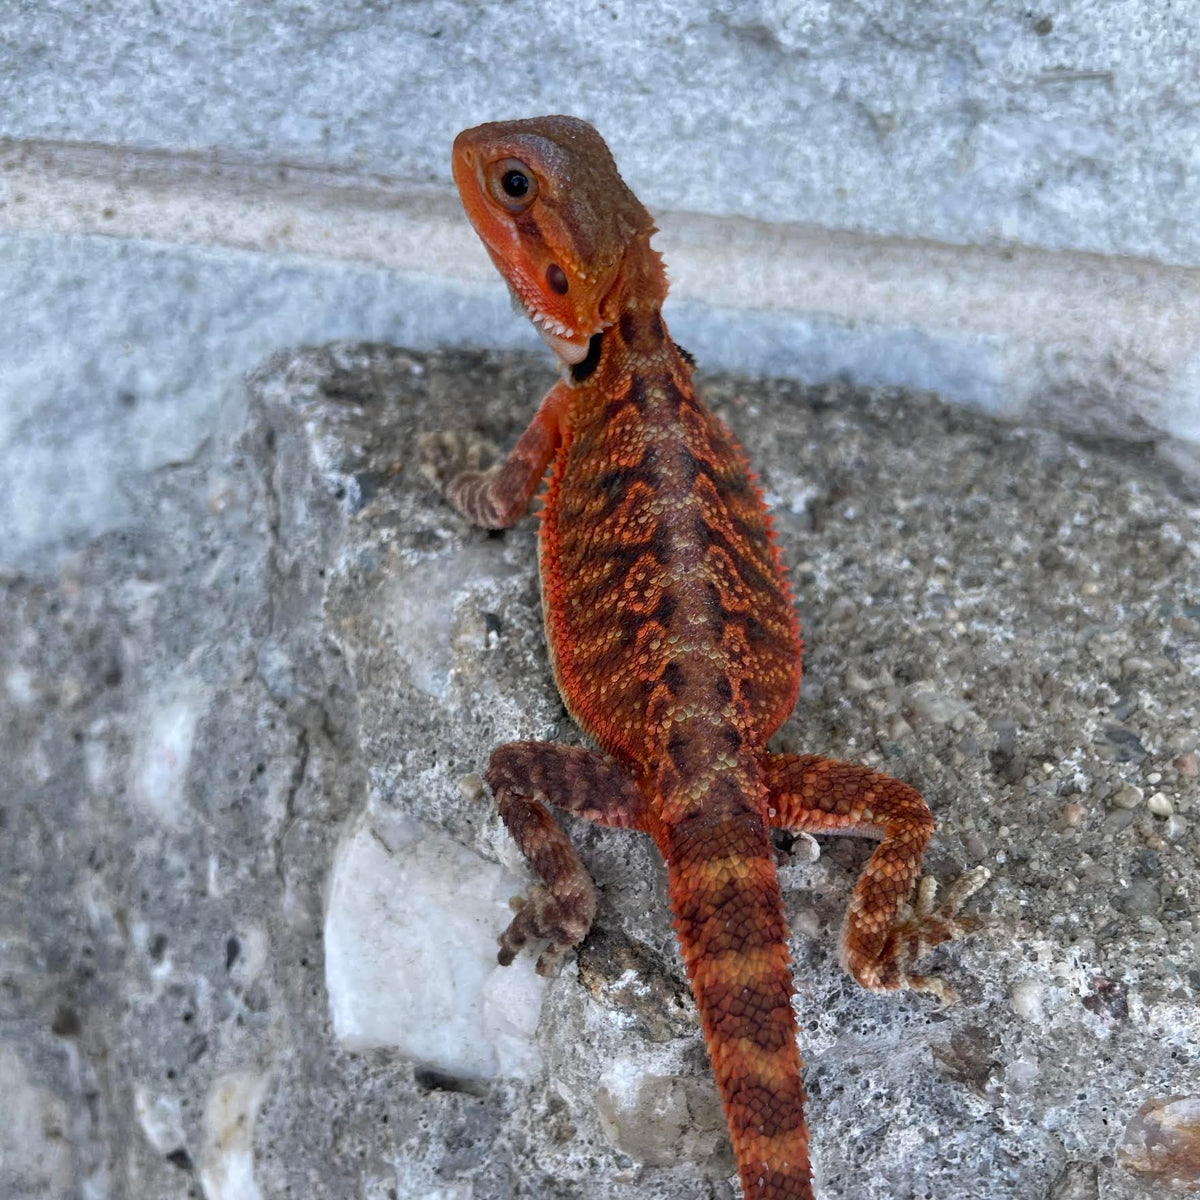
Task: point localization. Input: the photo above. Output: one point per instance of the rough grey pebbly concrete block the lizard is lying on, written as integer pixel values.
(289, 647)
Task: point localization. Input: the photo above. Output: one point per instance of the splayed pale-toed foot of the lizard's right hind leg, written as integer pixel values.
(920, 927)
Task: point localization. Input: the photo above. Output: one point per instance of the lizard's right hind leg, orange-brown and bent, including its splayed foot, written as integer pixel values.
(892, 920)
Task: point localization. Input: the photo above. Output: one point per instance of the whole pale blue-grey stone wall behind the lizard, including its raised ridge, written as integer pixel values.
(998, 205)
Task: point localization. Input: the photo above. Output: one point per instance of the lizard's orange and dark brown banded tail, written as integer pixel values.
(730, 920)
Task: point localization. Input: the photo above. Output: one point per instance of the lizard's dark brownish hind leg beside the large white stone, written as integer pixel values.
(583, 783)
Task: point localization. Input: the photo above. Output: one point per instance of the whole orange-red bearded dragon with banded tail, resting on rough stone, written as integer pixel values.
(675, 644)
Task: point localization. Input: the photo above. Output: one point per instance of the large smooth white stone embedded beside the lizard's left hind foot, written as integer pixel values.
(411, 927)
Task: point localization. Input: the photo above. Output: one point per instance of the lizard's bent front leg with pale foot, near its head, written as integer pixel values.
(499, 497)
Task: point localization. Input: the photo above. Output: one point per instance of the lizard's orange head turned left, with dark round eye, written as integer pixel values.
(557, 219)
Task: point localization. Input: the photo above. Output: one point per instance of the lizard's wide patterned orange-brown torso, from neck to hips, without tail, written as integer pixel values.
(662, 586)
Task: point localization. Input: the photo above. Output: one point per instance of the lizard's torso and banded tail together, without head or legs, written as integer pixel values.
(676, 646)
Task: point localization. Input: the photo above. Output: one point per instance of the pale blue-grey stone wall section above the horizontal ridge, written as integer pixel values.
(1070, 128)
